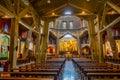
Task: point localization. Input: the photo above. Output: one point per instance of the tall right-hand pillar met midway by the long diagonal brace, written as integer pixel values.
(101, 23)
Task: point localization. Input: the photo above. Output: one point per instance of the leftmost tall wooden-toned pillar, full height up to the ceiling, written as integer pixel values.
(14, 35)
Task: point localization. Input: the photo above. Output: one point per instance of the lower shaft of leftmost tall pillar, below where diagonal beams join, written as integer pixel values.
(13, 43)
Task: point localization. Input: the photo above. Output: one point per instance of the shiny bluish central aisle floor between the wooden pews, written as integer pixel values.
(69, 72)
